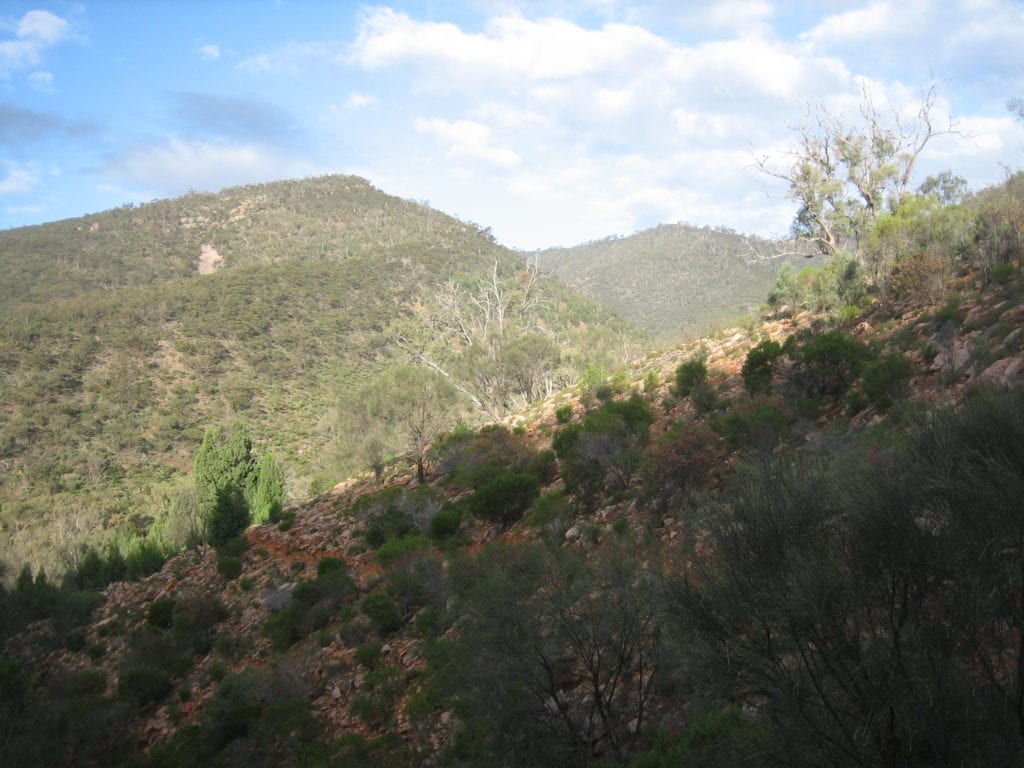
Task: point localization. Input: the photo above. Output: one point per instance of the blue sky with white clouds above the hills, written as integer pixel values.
(551, 122)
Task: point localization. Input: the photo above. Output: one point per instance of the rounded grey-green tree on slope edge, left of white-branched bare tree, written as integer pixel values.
(401, 414)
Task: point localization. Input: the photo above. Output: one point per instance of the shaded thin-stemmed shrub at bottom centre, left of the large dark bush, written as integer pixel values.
(554, 656)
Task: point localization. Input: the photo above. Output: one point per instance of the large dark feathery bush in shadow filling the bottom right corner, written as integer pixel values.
(865, 604)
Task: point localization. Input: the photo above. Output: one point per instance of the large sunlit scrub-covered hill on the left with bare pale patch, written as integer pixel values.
(124, 335)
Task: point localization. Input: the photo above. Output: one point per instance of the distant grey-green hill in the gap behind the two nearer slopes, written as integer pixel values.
(675, 280)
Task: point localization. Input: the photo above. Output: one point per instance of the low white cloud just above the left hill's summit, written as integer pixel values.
(179, 165)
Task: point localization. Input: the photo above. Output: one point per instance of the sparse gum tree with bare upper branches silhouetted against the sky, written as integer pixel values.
(843, 178)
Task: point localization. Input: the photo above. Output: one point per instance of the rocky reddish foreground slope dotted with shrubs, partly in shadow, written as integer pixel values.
(743, 550)
